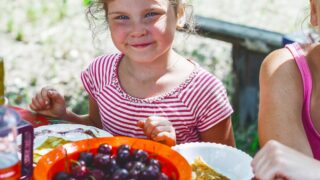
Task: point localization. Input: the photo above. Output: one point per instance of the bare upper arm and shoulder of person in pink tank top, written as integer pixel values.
(281, 97)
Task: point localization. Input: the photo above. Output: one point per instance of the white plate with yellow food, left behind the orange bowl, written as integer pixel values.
(71, 132)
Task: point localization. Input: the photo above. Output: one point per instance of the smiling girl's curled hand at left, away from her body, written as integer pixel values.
(49, 102)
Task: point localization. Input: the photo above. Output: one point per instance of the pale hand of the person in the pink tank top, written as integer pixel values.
(277, 161)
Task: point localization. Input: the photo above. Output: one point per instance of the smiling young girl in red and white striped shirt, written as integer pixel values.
(147, 90)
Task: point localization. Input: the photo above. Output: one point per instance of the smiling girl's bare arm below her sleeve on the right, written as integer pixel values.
(220, 133)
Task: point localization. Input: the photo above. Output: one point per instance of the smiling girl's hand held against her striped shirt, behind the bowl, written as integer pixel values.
(159, 129)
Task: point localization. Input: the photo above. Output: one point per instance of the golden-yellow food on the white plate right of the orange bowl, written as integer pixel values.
(204, 172)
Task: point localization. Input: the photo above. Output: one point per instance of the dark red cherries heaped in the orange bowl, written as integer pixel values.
(123, 164)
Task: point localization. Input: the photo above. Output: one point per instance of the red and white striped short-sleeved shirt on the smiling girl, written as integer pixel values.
(194, 106)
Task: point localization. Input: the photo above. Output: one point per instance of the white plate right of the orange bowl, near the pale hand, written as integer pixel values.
(229, 161)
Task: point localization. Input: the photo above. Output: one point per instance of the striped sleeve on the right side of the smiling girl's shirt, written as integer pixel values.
(215, 107)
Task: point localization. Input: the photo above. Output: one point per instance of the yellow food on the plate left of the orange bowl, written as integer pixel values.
(49, 144)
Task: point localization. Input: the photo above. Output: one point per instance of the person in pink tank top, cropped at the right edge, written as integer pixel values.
(289, 113)
